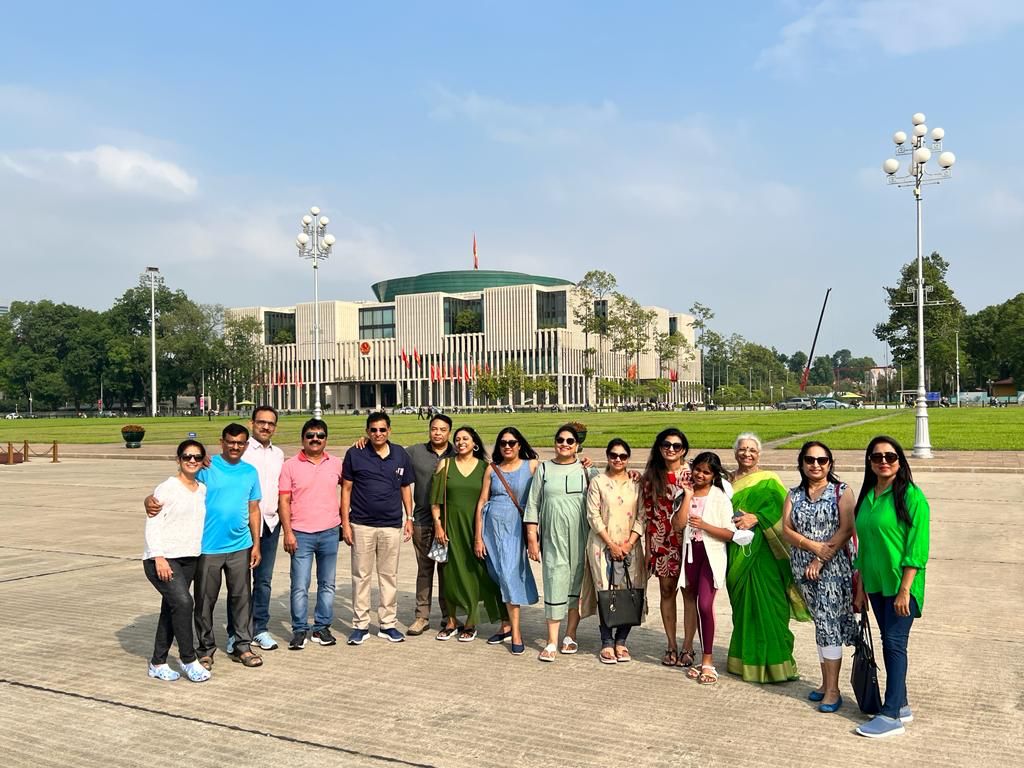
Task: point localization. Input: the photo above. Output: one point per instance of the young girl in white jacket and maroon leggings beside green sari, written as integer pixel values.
(707, 527)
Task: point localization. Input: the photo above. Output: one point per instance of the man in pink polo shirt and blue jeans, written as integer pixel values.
(311, 516)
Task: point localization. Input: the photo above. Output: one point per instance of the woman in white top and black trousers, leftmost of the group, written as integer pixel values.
(174, 544)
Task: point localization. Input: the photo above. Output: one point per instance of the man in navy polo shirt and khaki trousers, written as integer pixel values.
(375, 494)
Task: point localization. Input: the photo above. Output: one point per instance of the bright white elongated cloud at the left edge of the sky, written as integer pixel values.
(105, 166)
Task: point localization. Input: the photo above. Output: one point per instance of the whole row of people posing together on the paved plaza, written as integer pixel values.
(809, 553)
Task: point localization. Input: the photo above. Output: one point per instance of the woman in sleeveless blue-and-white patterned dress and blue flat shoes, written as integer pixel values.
(818, 522)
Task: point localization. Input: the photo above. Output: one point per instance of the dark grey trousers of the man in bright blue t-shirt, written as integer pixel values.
(208, 576)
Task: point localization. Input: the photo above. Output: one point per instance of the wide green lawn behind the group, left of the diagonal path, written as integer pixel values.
(717, 430)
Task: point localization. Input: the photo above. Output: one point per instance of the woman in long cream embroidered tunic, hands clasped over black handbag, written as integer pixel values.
(614, 542)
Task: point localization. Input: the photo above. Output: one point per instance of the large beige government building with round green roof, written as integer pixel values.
(428, 339)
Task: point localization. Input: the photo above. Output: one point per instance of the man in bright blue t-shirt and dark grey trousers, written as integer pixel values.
(233, 526)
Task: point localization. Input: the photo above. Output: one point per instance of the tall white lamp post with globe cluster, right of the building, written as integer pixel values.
(916, 176)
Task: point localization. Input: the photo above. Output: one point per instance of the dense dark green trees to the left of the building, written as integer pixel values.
(65, 357)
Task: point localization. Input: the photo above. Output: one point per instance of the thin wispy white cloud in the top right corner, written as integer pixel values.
(898, 28)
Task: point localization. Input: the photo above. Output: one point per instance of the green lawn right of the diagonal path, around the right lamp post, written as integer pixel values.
(950, 429)
